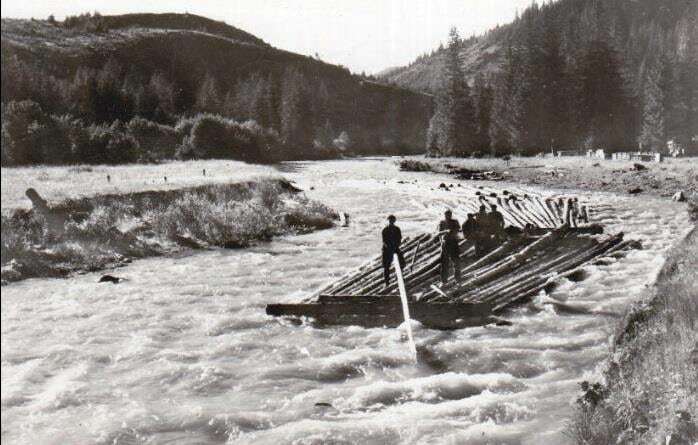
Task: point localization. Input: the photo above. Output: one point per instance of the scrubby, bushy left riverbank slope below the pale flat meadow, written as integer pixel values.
(88, 234)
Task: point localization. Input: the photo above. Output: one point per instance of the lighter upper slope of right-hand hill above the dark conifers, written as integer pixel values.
(635, 28)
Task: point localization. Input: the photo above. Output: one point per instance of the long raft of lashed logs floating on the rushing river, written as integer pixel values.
(548, 239)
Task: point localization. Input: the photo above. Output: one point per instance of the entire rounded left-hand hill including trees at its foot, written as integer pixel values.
(141, 87)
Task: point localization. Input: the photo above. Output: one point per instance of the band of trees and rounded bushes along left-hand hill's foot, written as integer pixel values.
(107, 116)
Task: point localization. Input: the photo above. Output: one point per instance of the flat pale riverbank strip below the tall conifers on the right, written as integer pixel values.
(658, 179)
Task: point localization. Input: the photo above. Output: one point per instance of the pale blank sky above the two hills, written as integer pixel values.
(363, 35)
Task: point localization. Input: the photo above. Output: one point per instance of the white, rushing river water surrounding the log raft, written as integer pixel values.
(182, 351)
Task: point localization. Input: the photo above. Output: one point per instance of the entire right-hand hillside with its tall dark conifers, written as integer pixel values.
(572, 74)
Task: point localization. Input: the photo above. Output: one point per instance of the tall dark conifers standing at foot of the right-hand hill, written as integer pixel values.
(550, 94)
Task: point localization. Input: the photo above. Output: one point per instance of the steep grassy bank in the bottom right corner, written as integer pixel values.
(651, 379)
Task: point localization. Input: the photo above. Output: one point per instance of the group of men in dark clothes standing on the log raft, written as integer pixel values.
(485, 230)
